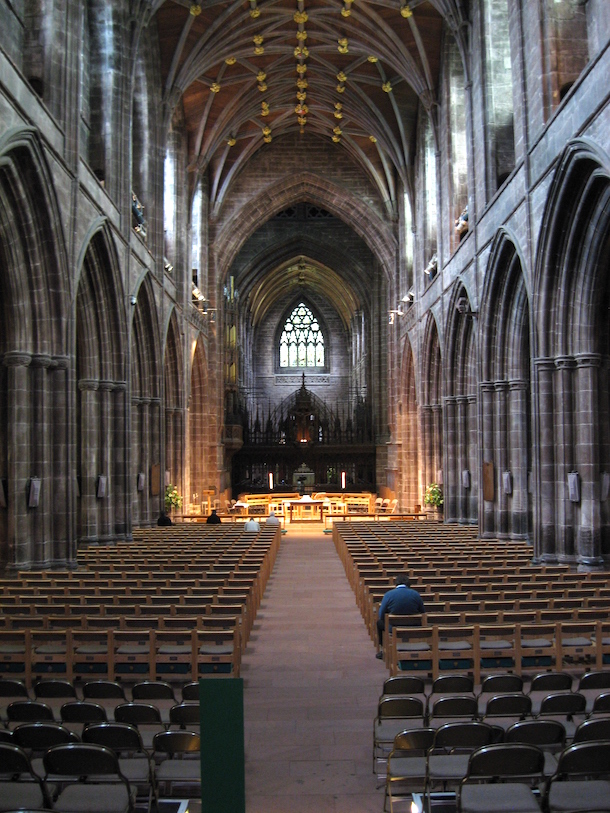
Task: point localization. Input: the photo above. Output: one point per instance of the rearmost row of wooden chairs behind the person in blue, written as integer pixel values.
(486, 648)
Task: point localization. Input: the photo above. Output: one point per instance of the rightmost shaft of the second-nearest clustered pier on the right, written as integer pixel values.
(518, 456)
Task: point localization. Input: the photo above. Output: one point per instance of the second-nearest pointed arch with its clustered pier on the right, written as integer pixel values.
(505, 393)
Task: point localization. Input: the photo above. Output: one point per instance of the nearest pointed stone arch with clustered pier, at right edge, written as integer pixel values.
(573, 354)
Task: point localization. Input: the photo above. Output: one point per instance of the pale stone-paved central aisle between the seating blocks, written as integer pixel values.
(311, 689)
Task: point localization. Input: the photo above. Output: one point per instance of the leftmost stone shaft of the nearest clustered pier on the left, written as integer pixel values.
(18, 458)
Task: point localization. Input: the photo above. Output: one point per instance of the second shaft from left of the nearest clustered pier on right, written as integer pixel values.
(564, 457)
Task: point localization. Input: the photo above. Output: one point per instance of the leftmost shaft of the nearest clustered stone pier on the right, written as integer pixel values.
(544, 532)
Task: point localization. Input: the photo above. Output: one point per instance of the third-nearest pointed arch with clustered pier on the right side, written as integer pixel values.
(460, 411)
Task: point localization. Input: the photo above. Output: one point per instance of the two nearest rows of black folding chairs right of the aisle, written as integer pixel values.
(529, 769)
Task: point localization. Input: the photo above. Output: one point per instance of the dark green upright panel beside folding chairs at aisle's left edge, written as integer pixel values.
(223, 782)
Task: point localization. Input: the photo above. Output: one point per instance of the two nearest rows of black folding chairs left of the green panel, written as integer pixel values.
(106, 772)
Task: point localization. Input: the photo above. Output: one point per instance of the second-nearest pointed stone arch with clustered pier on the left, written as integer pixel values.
(101, 393)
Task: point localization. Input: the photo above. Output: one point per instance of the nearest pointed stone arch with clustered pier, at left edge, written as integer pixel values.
(34, 373)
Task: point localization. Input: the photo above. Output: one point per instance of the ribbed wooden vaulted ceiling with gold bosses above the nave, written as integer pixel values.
(353, 72)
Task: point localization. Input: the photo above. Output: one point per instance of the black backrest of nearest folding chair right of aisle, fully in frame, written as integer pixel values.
(505, 761)
